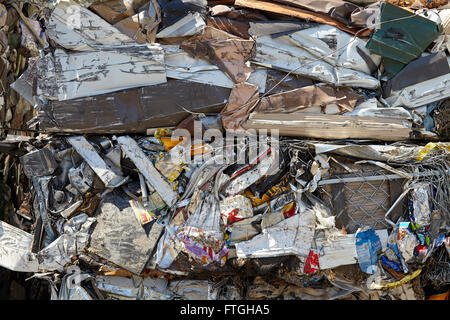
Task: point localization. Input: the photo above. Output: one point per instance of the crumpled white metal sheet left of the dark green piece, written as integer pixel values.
(319, 53)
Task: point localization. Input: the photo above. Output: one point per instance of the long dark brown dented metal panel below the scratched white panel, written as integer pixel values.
(133, 110)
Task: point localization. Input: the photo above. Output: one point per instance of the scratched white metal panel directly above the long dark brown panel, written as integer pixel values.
(69, 75)
